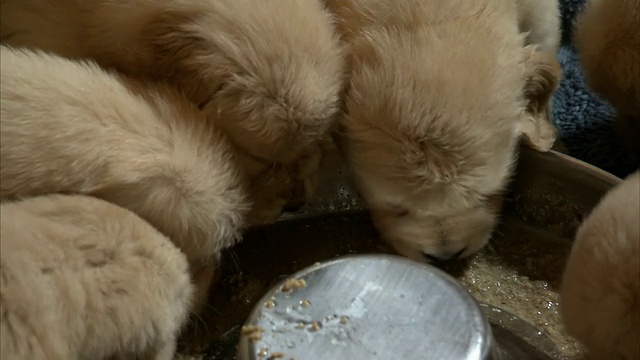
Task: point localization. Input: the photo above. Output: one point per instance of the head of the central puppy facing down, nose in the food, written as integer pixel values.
(430, 149)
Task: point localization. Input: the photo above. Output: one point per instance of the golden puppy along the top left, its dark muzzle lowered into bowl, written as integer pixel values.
(268, 72)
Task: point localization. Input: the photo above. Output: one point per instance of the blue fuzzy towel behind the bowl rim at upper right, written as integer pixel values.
(585, 122)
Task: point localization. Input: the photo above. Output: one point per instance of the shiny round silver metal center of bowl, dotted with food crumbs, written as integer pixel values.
(367, 307)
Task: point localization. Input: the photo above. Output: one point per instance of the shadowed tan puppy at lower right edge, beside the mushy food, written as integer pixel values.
(600, 293)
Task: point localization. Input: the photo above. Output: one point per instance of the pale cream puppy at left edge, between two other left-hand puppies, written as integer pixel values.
(71, 127)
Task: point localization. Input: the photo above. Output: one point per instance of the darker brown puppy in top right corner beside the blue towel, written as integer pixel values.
(608, 41)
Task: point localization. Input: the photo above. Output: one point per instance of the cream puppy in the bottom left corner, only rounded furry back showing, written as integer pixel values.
(85, 279)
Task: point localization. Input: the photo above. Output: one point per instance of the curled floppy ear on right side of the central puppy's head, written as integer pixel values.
(542, 77)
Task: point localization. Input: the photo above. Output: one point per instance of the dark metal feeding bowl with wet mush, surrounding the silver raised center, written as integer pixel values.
(516, 276)
